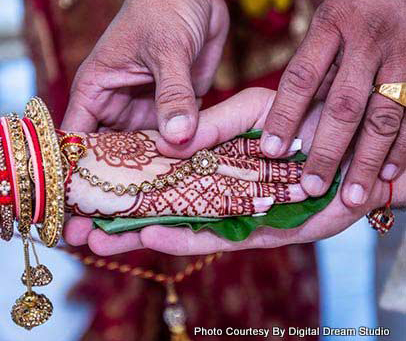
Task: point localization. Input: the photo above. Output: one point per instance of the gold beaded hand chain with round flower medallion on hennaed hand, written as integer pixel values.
(204, 162)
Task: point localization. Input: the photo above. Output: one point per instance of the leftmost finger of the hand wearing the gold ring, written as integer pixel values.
(298, 85)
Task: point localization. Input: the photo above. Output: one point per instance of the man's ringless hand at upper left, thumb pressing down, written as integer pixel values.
(148, 68)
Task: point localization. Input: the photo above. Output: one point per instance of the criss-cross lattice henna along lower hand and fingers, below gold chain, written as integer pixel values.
(215, 195)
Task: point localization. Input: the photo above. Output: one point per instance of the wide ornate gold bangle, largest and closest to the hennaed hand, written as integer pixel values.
(51, 229)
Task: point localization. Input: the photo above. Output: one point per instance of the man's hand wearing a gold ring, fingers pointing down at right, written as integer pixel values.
(350, 46)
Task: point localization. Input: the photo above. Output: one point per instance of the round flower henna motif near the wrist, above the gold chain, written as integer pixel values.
(131, 150)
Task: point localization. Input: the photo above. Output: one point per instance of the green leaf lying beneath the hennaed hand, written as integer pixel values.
(283, 216)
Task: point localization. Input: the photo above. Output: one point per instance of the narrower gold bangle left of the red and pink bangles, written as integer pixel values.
(23, 185)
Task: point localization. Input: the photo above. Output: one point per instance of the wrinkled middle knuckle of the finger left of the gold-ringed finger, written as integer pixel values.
(346, 107)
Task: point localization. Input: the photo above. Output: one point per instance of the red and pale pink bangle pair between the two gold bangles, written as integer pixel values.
(37, 163)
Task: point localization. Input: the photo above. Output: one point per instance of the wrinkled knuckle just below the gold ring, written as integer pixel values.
(384, 121)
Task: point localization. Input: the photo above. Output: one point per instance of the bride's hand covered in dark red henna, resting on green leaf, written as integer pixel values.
(117, 164)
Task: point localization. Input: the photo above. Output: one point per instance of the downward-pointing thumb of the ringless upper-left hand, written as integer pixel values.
(177, 109)
